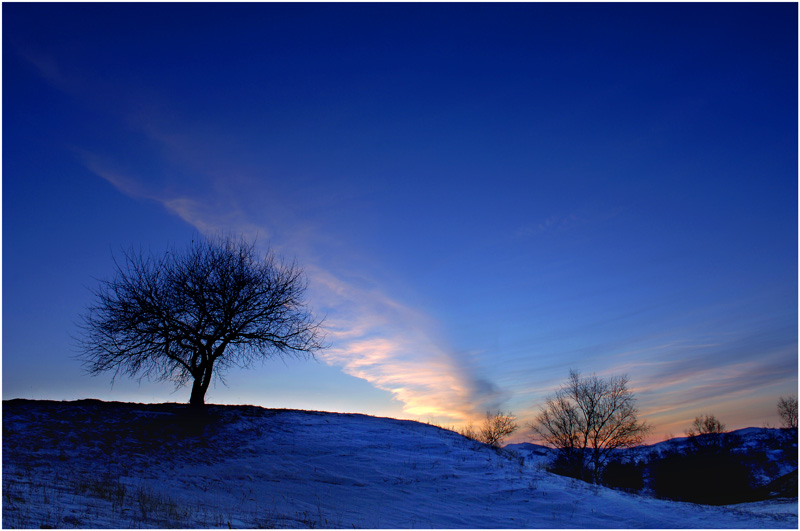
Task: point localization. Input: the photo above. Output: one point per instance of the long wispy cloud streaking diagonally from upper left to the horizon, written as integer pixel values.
(372, 335)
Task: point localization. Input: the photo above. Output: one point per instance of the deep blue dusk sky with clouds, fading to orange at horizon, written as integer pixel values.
(483, 196)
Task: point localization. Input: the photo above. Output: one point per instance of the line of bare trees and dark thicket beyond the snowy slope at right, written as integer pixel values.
(591, 421)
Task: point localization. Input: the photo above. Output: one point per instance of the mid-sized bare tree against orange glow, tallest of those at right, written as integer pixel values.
(588, 418)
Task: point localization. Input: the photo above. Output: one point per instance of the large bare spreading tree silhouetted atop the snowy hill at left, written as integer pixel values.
(190, 315)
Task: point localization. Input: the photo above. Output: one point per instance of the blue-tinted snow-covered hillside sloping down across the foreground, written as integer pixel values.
(112, 465)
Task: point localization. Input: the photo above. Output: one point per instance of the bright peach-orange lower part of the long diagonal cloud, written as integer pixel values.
(395, 348)
